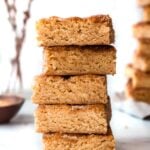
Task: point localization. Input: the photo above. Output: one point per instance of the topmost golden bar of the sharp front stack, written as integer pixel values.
(94, 30)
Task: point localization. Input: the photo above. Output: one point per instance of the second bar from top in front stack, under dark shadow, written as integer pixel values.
(76, 60)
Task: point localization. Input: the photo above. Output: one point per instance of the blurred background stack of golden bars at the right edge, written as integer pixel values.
(138, 73)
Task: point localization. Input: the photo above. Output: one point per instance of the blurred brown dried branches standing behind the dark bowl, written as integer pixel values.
(19, 37)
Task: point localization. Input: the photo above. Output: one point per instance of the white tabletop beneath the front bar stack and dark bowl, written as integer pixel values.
(130, 133)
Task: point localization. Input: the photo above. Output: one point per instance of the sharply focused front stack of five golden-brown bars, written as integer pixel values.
(74, 108)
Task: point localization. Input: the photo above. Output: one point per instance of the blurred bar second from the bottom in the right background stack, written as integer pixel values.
(139, 79)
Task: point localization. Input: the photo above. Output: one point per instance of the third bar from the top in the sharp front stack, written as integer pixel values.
(84, 89)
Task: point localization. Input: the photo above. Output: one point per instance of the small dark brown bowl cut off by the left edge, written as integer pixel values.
(9, 111)
